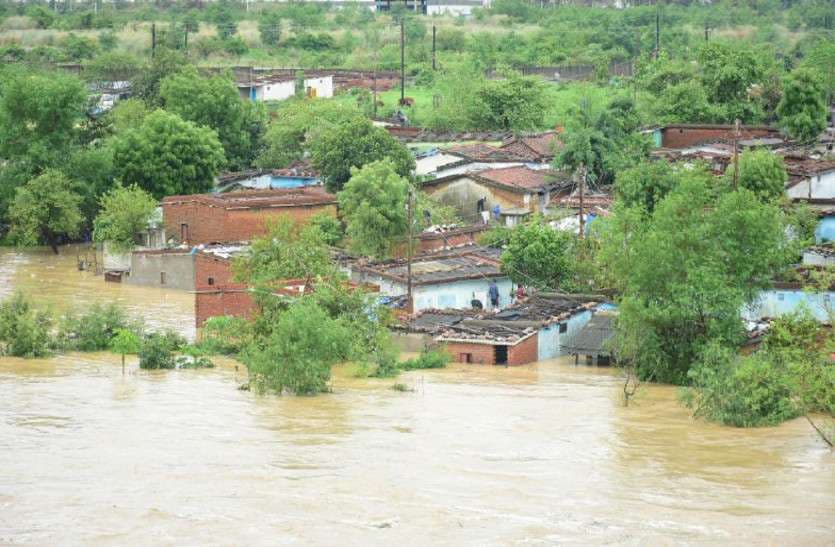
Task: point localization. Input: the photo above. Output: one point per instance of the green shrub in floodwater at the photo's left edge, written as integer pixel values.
(24, 332)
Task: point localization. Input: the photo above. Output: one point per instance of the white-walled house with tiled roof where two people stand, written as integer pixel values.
(443, 280)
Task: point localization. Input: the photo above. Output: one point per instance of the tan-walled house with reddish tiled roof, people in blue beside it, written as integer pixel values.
(517, 188)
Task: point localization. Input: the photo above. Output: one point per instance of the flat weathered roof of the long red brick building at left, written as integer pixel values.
(259, 199)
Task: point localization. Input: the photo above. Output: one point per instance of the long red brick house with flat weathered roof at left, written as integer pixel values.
(240, 216)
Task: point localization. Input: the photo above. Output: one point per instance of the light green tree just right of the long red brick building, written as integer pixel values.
(373, 203)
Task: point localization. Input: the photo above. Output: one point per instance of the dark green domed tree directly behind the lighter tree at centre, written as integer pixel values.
(354, 144)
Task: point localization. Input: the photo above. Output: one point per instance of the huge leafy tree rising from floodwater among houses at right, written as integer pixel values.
(686, 273)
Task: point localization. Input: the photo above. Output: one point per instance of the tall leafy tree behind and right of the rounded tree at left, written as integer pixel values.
(215, 102)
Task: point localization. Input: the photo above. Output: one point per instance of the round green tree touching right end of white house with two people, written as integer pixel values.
(537, 255)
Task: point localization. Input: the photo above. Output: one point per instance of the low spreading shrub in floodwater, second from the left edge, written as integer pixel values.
(94, 329)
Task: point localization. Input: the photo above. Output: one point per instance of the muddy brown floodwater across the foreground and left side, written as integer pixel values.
(535, 455)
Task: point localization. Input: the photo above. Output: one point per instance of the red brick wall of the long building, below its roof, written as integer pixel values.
(207, 224)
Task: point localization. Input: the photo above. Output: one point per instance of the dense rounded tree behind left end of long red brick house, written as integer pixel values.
(167, 155)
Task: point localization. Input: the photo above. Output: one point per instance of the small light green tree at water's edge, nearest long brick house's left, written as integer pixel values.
(125, 213)
